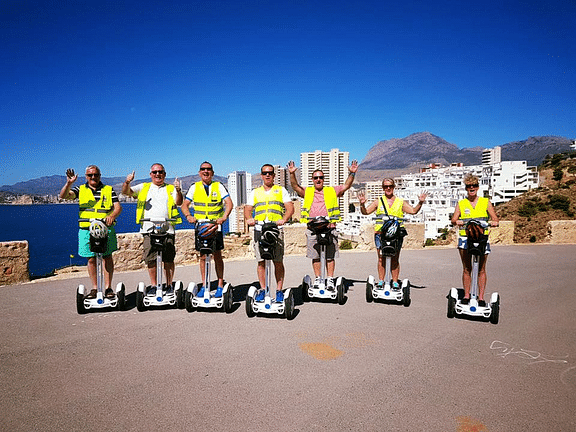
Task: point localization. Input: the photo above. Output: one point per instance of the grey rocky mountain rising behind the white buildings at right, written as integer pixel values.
(423, 148)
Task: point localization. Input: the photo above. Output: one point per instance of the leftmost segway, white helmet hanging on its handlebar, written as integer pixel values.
(98, 243)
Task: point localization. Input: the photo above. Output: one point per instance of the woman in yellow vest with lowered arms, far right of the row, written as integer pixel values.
(473, 207)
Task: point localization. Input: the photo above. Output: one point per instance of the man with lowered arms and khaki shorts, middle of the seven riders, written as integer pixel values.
(270, 203)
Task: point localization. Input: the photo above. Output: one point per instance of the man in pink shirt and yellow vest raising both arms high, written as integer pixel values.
(321, 201)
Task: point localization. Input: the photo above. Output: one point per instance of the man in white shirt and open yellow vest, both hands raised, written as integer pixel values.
(156, 200)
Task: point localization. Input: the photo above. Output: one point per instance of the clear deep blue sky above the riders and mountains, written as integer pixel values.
(123, 84)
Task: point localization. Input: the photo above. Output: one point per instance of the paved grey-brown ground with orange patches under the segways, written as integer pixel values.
(360, 366)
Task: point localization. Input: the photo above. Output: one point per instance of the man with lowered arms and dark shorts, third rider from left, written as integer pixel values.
(210, 201)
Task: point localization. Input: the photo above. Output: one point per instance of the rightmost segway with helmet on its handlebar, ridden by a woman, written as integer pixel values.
(476, 244)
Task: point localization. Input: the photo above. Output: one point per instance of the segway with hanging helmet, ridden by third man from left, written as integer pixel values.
(200, 296)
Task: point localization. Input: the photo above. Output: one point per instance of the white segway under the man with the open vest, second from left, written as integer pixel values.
(159, 295)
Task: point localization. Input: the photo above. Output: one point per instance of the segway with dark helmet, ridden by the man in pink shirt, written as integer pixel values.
(320, 227)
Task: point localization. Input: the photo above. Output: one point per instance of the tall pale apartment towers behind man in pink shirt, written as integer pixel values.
(334, 164)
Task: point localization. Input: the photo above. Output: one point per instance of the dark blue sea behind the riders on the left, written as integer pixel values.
(52, 232)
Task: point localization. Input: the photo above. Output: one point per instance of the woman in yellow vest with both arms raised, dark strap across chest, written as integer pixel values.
(393, 206)
